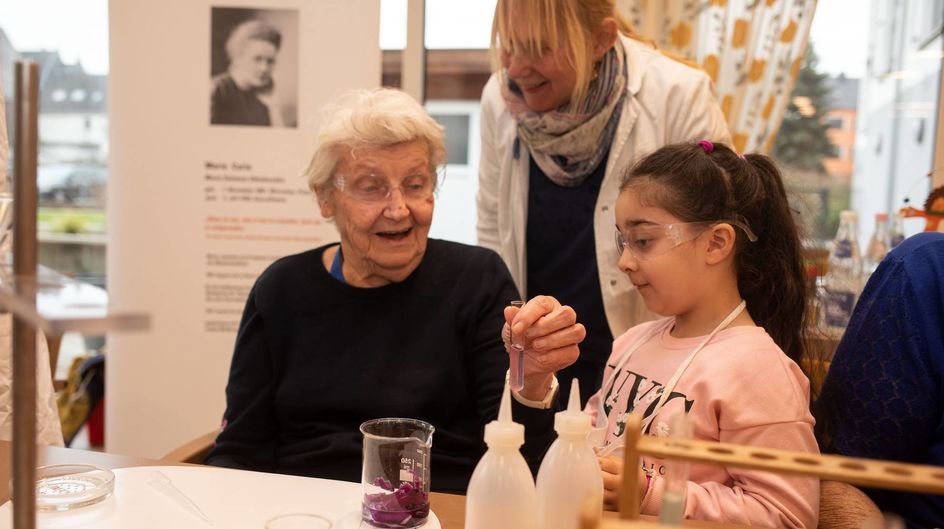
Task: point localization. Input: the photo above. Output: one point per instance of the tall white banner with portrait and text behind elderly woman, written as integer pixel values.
(213, 109)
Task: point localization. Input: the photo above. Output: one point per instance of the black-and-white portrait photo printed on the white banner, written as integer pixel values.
(254, 67)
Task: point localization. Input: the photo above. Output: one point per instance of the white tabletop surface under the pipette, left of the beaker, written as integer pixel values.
(230, 498)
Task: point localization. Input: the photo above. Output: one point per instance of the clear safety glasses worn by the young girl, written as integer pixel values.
(648, 241)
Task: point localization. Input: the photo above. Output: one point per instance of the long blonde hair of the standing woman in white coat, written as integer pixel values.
(554, 23)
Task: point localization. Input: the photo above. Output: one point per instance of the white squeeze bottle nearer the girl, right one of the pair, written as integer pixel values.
(570, 473)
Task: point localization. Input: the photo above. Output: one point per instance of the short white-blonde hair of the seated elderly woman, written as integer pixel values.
(380, 117)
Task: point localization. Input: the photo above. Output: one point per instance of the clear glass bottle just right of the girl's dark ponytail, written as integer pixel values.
(844, 279)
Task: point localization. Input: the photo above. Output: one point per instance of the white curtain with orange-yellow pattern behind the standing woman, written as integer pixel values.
(752, 49)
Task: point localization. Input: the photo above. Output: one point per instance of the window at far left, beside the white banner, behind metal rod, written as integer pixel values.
(71, 48)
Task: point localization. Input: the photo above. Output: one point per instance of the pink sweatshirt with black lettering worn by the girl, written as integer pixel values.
(742, 389)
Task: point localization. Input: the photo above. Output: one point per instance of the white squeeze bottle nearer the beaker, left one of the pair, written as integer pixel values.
(501, 491)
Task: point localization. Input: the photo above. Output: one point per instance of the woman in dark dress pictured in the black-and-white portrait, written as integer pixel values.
(244, 94)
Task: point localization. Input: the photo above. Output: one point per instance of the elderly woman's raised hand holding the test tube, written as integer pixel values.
(551, 336)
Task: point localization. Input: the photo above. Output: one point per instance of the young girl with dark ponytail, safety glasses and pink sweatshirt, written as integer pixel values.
(709, 240)
